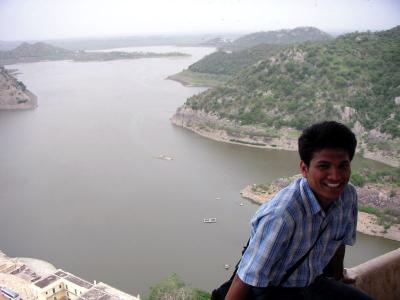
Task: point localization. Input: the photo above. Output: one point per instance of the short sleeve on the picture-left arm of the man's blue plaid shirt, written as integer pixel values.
(268, 242)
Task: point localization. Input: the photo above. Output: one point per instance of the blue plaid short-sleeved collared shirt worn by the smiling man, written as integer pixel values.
(283, 230)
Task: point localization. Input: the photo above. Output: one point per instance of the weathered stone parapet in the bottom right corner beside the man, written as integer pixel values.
(379, 277)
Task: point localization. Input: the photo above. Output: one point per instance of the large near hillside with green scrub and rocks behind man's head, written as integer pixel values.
(354, 78)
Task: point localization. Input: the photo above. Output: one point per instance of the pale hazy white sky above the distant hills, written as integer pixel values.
(46, 19)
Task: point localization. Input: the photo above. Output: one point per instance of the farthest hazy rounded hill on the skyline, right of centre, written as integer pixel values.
(283, 36)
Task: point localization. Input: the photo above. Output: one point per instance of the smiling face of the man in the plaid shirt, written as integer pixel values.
(328, 174)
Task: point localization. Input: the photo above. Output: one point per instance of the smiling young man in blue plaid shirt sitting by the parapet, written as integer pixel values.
(320, 208)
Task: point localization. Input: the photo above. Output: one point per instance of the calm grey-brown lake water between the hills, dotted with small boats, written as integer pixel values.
(81, 188)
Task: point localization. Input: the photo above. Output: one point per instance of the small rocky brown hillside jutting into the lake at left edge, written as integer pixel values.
(14, 94)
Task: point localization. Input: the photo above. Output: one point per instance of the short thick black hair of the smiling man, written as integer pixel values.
(326, 135)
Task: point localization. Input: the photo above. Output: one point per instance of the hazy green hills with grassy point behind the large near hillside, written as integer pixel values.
(245, 51)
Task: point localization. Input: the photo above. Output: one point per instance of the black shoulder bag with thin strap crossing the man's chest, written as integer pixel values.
(256, 293)
